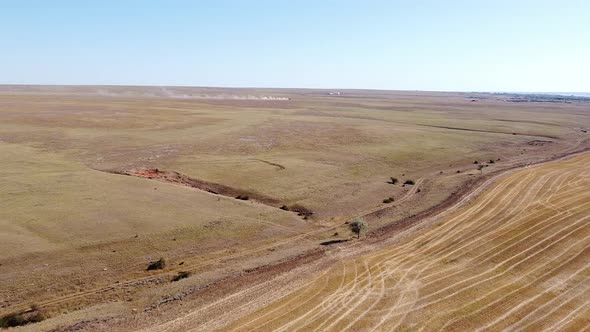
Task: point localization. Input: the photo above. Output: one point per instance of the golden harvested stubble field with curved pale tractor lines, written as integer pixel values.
(515, 258)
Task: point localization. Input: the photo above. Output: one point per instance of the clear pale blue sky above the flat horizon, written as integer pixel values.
(478, 45)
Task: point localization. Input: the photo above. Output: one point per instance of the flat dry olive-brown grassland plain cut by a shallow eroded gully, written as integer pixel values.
(340, 177)
